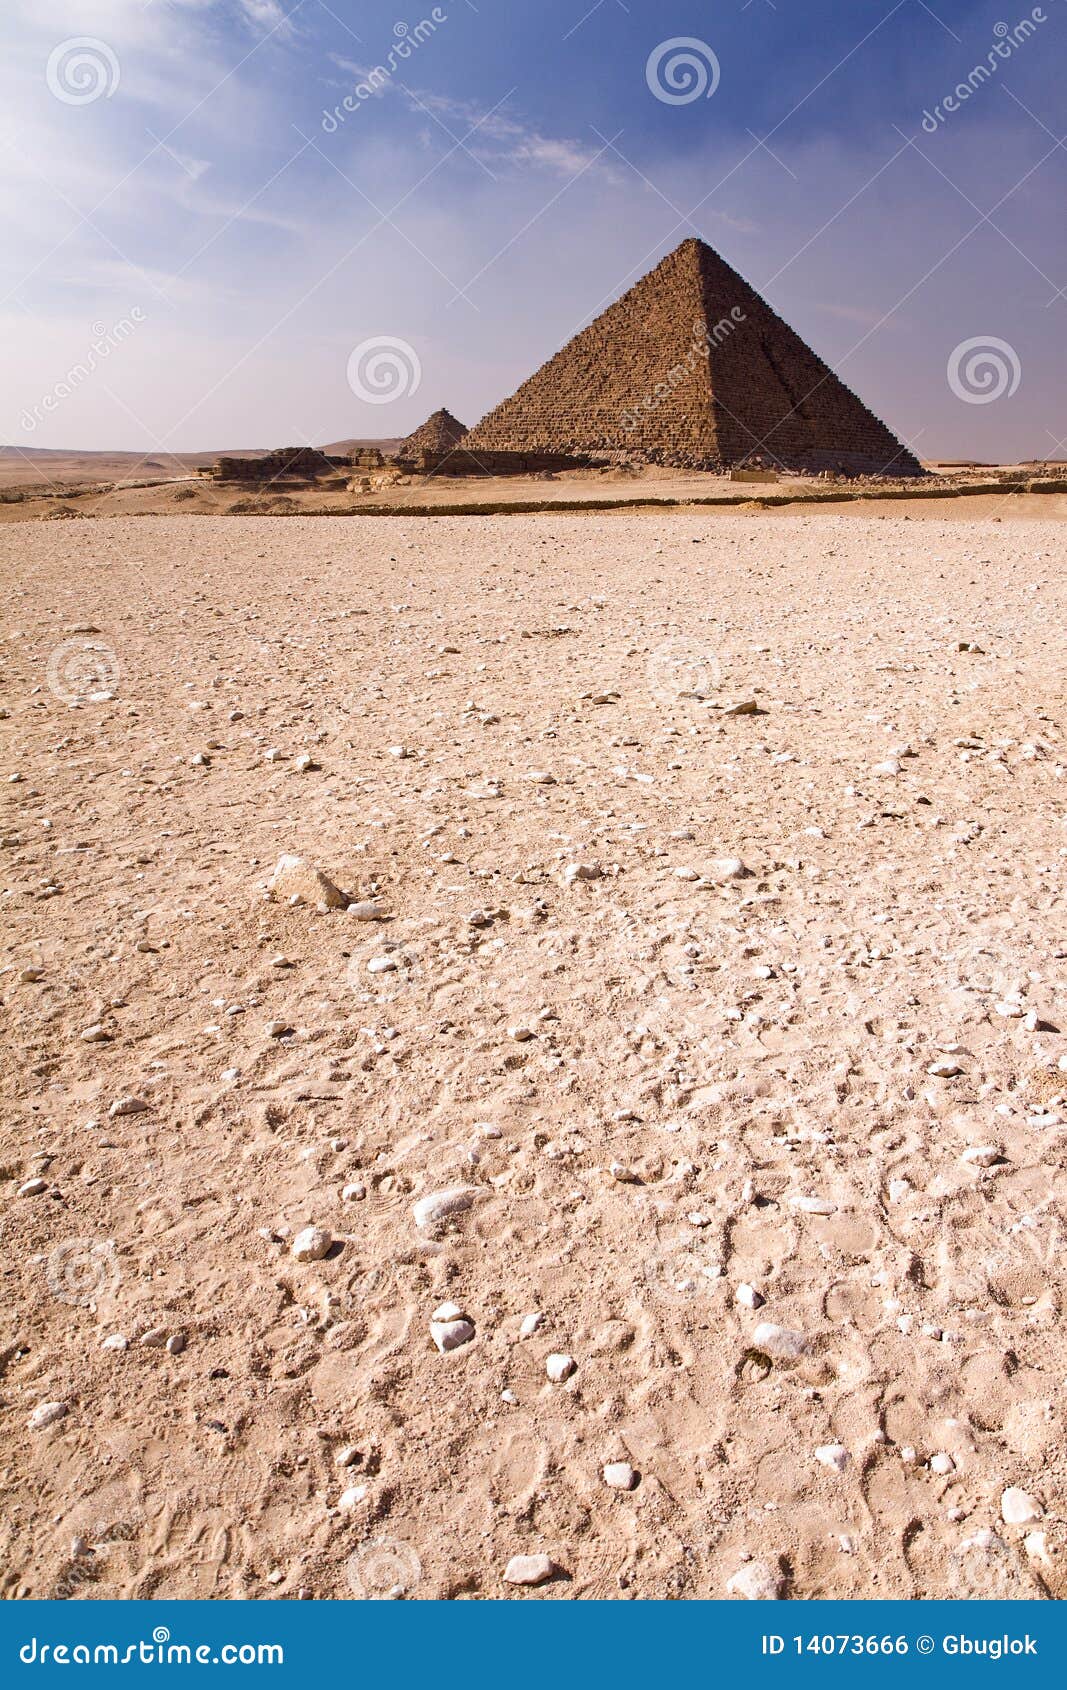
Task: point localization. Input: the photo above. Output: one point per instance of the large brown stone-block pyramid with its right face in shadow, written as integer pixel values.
(694, 369)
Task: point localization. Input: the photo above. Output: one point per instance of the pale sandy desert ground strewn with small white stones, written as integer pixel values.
(775, 1155)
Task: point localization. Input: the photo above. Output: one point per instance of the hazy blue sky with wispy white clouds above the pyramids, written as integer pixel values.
(197, 248)
